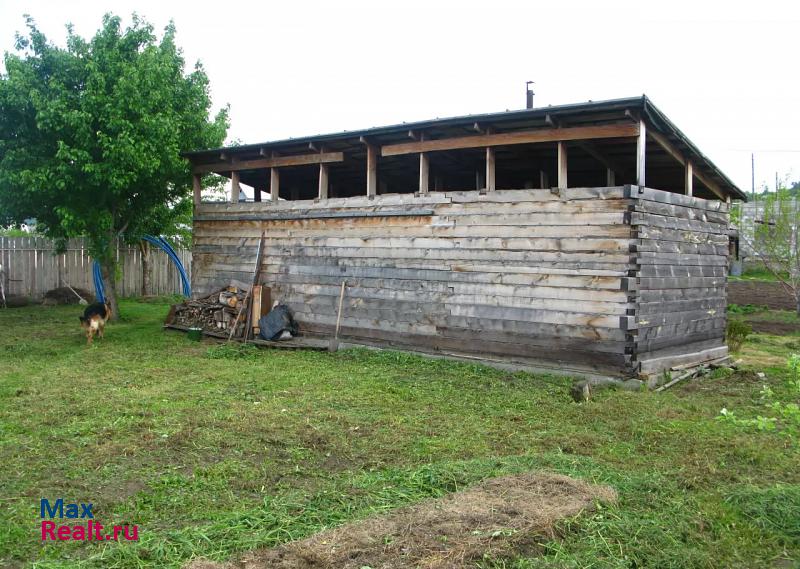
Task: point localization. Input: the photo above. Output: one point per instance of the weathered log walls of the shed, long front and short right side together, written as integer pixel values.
(601, 279)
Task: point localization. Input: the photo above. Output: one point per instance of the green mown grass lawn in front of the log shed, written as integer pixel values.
(214, 451)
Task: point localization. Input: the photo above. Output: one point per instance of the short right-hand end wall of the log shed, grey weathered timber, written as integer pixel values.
(681, 257)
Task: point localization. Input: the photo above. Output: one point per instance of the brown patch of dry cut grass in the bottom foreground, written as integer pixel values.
(495, 518)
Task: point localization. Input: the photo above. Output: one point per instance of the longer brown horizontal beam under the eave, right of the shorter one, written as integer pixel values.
(507, 138)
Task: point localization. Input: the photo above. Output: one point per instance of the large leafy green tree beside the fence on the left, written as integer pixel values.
(91, 135)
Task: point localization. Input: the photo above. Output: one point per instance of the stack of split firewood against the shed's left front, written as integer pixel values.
(214, 313)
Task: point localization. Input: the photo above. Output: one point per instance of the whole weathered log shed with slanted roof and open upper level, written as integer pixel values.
(588, 237)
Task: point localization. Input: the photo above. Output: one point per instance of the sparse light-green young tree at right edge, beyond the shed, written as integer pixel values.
(772, 234)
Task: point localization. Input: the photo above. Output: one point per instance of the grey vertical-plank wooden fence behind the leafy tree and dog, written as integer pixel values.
(31, 267)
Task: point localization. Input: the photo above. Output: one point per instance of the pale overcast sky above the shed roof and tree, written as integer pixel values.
(724, 72)
